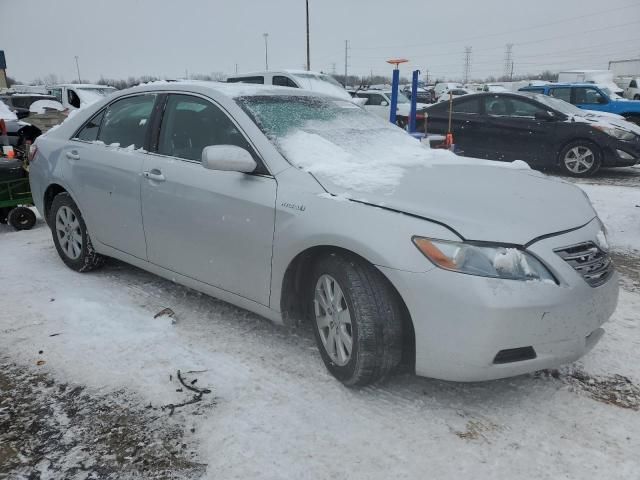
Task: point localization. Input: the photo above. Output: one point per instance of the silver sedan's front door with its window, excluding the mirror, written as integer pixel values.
(213, 226)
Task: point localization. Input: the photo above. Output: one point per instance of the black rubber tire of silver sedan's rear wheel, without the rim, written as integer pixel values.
(88, 259)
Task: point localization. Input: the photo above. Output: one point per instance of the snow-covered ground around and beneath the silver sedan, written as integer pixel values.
(273, 411)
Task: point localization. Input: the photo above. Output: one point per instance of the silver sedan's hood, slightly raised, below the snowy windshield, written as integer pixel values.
(480, 200)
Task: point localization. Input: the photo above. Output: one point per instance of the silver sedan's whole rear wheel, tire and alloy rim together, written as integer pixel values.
(70, 235)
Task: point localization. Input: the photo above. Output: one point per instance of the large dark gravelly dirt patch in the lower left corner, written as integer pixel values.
(53, 430)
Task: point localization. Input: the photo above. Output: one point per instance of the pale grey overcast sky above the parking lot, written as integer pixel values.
(121, 38)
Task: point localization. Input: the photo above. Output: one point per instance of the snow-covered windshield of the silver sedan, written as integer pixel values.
(336, 139)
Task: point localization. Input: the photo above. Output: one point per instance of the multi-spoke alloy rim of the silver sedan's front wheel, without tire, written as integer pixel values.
(333, 320)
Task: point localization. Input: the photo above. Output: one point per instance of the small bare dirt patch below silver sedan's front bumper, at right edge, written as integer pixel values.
(614, 390)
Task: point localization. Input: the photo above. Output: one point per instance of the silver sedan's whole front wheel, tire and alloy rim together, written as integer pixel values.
(357, 319)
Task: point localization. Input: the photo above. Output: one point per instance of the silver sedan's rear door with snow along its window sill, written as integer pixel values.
(105, 167)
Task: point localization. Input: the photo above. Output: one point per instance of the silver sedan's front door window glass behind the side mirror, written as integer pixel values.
(191, 123)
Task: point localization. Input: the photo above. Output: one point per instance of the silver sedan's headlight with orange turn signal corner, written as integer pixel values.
(483, 260)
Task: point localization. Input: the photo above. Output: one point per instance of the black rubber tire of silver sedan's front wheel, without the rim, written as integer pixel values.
(376, 319)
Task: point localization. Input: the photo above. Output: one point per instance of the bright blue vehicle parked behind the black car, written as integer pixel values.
(590, 97)
